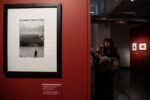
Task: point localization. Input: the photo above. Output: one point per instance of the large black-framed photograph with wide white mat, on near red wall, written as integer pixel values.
(32, 40)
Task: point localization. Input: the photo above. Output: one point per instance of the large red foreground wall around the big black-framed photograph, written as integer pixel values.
(75, 53)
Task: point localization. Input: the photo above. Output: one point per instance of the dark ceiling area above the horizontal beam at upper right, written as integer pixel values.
(137, 9)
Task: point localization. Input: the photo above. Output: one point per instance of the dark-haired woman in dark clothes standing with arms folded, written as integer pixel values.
(108, 58)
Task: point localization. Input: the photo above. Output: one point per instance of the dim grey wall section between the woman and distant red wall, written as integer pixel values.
(120, 34)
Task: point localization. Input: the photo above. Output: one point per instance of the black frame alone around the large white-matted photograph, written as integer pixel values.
(32, 74)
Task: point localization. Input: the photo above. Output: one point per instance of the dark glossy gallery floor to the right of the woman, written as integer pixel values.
(131, 88)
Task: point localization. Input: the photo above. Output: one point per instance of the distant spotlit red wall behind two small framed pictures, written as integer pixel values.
(140, 59)
